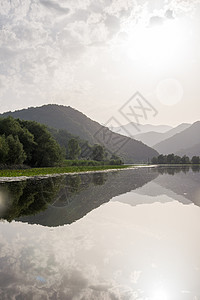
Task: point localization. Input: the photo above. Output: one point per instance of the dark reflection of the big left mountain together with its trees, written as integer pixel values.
(63, 200)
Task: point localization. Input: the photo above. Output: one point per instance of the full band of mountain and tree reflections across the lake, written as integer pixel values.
(65, 199)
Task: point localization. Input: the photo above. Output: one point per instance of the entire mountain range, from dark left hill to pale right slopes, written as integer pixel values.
(154, 139)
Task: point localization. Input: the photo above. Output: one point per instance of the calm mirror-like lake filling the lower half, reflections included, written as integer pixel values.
(131, 234)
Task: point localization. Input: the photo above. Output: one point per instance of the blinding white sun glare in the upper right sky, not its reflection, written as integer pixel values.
(156, 46)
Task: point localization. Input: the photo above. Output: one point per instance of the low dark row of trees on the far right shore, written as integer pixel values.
(175, 159)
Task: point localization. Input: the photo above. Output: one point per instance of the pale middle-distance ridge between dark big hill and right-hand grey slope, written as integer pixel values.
(152, 138)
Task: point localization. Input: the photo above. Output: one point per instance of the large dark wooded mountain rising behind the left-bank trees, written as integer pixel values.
(78, 124)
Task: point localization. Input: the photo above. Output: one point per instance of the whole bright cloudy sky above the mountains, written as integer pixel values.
(95, 55)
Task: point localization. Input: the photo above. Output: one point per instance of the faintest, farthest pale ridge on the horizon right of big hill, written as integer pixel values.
(131, 129)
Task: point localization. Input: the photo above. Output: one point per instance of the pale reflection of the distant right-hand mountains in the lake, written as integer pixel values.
(174, 183)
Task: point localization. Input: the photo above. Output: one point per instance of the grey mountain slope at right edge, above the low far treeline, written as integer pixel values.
(180, 141)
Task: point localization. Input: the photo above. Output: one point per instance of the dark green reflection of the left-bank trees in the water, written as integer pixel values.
(33, 196)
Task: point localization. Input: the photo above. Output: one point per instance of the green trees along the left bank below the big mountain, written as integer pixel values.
(33, 144)
